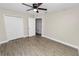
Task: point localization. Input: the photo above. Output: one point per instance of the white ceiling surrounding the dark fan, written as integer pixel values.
(51, 7)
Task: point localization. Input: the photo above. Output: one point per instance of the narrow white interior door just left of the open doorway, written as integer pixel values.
(31, 26)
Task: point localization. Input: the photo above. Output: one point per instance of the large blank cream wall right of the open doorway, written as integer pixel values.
(63, 26)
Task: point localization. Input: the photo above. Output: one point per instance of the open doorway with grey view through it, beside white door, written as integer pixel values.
(38, 26)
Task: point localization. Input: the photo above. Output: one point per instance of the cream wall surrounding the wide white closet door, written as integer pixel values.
(3, 12)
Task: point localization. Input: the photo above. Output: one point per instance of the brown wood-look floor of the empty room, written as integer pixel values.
(36, 46)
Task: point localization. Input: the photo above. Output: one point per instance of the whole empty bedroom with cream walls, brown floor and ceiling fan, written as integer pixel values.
(39, 29)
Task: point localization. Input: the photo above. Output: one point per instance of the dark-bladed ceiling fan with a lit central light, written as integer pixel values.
(35, 7)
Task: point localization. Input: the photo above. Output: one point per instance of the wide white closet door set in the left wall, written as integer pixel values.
(14, 27)
